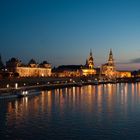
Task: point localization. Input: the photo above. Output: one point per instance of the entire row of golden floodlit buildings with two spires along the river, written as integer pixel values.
(33, 69)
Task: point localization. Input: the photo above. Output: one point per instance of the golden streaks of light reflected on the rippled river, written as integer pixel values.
(87, 99)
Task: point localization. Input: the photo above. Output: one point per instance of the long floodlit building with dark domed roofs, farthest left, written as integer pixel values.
(31, 70)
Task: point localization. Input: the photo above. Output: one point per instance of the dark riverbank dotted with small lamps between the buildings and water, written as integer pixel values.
(12, 86)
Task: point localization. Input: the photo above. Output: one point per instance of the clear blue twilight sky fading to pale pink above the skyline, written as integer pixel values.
(64, 31)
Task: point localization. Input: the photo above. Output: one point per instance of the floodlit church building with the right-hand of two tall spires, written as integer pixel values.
(109, 69)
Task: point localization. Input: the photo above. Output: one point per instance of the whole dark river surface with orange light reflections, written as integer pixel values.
(100, 112)
